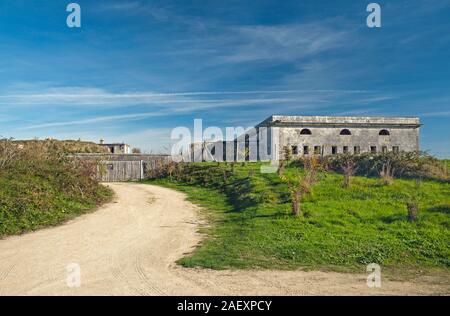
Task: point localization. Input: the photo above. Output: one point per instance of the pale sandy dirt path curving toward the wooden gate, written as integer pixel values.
(129, 247)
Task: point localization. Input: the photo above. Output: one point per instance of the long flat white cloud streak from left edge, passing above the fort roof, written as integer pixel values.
(69, 96)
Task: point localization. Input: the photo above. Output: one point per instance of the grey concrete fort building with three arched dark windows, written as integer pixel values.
(317, 135)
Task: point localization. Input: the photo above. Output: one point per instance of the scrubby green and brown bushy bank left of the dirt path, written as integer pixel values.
(41, 186)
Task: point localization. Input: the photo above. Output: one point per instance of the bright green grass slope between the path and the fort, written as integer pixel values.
(341, 229)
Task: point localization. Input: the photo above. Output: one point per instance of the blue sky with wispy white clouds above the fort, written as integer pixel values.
(137, 69)
